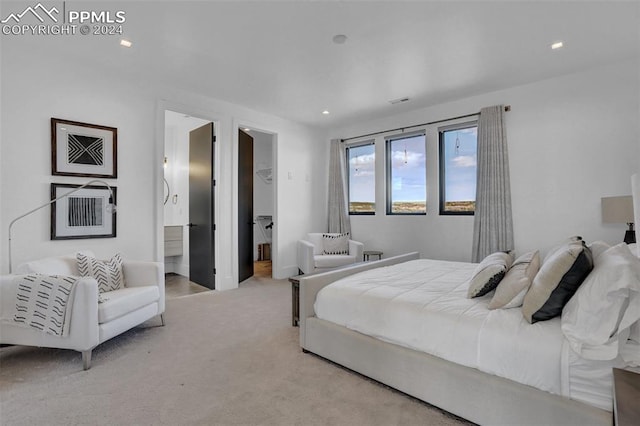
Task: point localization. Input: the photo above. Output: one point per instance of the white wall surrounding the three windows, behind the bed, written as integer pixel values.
(572, 140)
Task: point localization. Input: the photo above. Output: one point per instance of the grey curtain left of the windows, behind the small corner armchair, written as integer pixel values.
(338, 212)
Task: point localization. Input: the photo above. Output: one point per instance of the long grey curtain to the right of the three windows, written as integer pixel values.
(493, 224)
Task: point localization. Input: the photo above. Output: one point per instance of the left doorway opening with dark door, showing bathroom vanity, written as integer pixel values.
(178, 198)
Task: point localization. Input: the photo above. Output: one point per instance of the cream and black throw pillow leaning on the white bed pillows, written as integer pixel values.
(558, 279)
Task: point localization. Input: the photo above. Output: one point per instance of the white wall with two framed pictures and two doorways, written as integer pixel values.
(37, 84)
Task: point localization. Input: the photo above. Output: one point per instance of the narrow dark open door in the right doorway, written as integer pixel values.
(245, 206)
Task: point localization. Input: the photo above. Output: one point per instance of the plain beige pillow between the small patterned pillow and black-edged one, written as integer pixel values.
(515, 284)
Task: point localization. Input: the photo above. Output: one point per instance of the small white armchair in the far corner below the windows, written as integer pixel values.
(311, 257)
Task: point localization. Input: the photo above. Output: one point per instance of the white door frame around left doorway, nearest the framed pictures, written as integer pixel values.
(159, 156)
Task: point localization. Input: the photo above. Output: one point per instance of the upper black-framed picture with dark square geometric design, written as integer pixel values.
(83, 149)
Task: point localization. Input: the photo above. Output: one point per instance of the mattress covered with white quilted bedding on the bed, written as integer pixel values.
(423, 305)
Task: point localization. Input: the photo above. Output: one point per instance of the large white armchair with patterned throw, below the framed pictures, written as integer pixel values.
(90, 323)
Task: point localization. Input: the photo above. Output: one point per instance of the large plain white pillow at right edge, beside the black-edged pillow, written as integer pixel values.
(606, 304)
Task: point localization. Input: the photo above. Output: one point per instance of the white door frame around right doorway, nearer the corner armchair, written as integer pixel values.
(245, 124)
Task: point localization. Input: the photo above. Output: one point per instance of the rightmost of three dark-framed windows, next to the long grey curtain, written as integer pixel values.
(458, 147)
